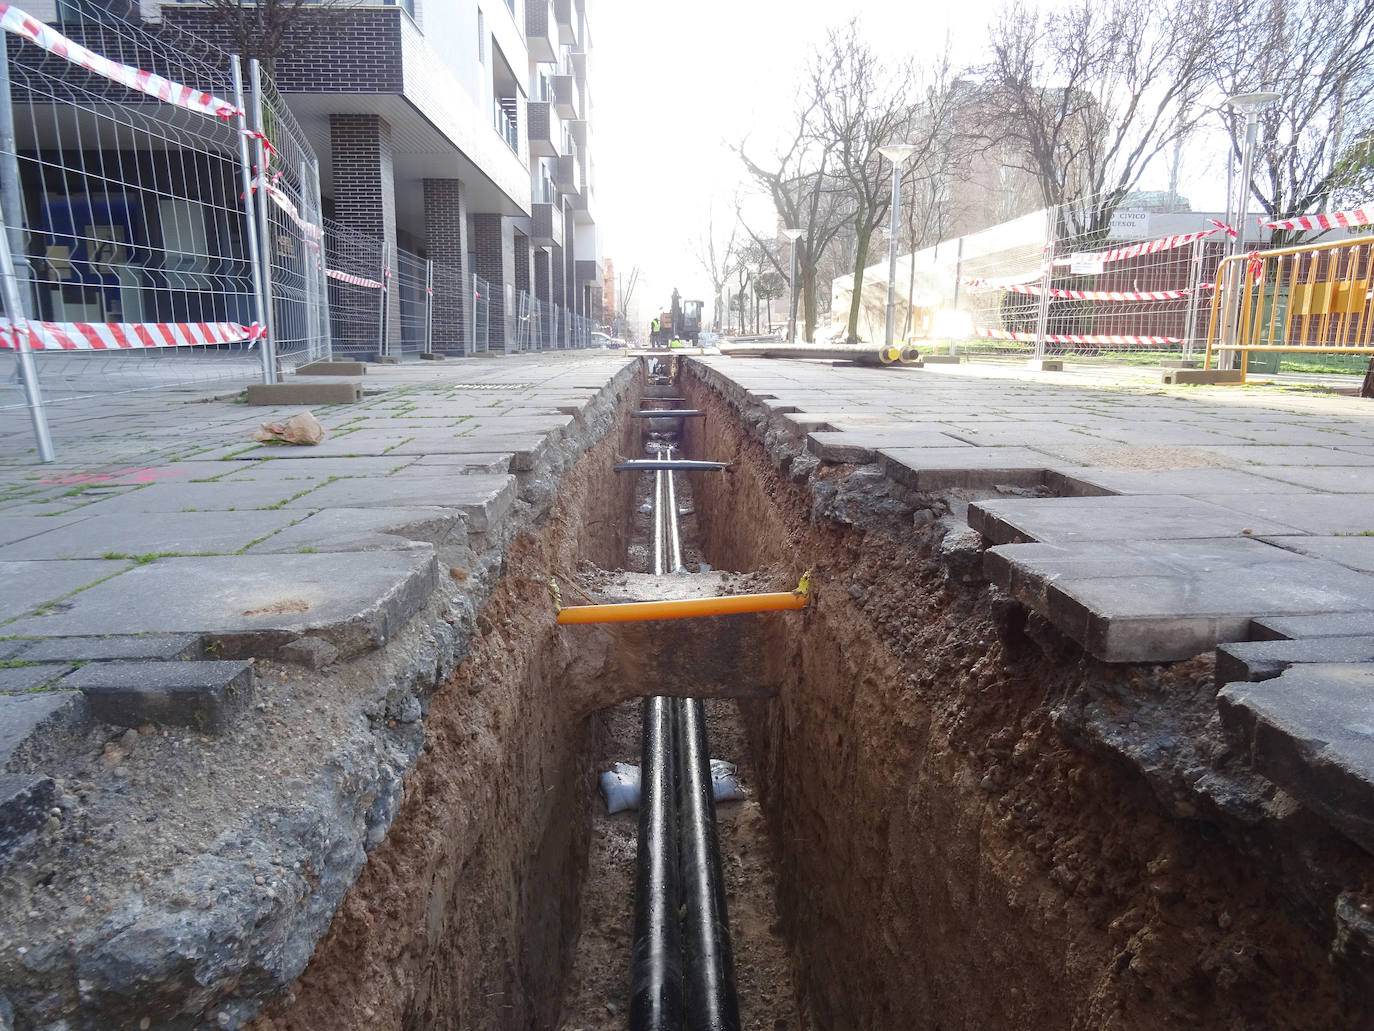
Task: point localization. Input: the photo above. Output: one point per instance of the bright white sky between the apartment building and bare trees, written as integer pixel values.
(674, 85)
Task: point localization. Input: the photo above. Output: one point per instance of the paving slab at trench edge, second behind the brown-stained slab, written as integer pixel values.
(483, 500)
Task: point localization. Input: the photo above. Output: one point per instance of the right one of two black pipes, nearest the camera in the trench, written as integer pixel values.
(712, 1003)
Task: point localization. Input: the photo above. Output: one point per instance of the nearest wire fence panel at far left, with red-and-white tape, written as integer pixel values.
(123, 197)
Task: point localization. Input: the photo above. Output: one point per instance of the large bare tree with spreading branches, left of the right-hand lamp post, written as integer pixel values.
(1090, 94)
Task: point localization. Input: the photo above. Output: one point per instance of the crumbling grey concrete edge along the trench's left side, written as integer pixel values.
(252, 946)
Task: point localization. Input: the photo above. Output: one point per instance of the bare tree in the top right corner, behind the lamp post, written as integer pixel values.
(1320, 58)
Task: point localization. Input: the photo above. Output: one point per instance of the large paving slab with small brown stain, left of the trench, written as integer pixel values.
(252, 604)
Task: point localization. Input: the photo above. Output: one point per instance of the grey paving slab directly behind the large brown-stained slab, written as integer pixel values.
(369, 530)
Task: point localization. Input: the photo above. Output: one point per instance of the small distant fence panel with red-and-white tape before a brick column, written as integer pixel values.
(357, 278)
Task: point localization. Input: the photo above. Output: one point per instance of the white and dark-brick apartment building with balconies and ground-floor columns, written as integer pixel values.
(457, 133)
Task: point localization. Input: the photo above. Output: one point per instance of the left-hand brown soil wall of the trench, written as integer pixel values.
(466, 915)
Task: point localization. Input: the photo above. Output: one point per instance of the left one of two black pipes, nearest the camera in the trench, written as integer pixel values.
(656, 986)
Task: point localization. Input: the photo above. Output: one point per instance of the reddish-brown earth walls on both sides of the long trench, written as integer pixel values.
(938, 832)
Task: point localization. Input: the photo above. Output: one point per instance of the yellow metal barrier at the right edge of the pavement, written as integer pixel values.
(1310, 299)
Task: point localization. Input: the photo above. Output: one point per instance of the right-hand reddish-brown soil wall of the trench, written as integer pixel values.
(949, 857)
